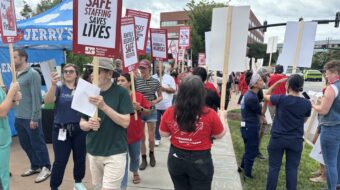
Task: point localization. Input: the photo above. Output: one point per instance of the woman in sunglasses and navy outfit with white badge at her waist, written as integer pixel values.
(67, 135)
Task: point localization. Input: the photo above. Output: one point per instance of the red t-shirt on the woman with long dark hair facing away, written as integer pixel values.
(209, 124)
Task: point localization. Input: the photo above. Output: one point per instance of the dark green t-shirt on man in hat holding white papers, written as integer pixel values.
(111, 138)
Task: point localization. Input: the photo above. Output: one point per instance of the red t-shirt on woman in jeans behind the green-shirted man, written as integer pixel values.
(135, 128)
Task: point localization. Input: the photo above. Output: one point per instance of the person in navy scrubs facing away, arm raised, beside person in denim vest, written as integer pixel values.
(287, 130)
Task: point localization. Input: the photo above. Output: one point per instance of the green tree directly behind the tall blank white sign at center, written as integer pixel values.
(200, 17)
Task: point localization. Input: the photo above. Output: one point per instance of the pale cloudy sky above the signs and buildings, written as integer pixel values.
(274, 11)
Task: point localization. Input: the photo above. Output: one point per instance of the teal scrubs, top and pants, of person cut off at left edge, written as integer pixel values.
(5, 142)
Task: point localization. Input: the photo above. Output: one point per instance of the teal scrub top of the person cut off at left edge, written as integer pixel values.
(5, 132)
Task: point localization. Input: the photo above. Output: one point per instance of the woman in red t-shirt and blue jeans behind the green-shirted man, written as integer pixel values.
(135, 129)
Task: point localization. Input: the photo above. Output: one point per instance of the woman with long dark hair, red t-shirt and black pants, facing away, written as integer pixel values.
(191, 125)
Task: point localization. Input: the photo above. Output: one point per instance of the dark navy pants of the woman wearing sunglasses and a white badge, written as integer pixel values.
(75, 141)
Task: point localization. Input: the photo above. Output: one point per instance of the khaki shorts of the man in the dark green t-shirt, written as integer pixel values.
(107, 172)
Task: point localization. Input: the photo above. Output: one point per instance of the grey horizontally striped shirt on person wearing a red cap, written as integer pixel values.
(148, 87)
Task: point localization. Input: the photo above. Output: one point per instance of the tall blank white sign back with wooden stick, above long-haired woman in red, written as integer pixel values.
(238, 40)
